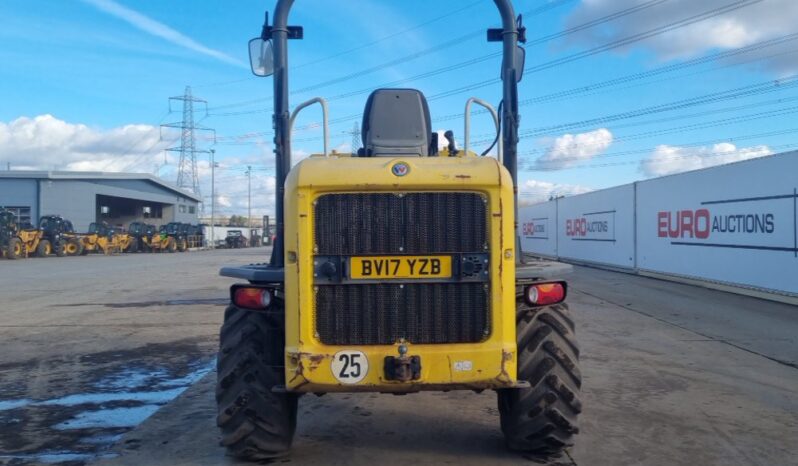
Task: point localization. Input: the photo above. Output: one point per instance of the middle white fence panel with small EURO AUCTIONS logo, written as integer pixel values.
(598, 227)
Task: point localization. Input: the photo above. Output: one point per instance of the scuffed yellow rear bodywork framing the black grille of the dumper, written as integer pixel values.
(488, 364)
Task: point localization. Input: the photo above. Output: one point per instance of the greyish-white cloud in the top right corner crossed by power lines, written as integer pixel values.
(736, 28)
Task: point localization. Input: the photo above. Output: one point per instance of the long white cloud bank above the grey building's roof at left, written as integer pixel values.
(46, 143)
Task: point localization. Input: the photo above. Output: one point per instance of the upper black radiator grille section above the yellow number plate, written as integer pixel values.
(412, 223)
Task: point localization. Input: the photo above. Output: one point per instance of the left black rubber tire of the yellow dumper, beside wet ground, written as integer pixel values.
(256, 423)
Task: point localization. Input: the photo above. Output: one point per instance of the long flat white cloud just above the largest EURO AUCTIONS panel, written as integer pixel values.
(666, 160)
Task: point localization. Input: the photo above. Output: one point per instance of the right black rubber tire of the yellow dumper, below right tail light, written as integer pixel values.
(542, 419)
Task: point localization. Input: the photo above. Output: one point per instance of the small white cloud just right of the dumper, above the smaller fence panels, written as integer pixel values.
(570, 149)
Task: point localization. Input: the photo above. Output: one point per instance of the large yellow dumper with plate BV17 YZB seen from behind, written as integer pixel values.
(398, 269)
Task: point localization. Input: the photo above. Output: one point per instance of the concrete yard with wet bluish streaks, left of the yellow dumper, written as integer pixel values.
(90, 346)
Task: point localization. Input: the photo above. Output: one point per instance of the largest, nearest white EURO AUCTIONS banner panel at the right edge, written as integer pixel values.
(736, 223)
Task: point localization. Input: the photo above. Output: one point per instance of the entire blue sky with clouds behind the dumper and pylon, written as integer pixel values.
(614, 91)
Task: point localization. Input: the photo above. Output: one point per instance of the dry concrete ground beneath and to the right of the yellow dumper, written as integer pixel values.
(673, 375)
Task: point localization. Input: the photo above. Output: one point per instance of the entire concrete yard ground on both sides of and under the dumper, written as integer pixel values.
(111, 360)
